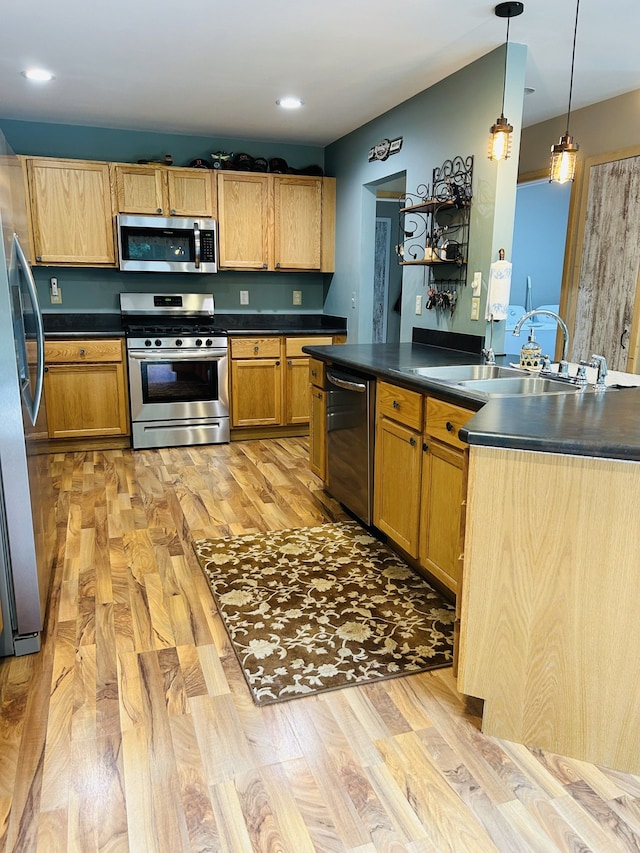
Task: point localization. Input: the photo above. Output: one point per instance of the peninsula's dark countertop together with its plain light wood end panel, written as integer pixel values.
(549, 597)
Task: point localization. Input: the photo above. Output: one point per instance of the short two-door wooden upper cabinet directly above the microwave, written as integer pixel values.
(164, 190)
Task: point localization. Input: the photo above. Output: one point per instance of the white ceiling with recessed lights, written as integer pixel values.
(216, 69)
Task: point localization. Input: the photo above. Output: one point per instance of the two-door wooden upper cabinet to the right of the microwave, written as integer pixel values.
(276, 222)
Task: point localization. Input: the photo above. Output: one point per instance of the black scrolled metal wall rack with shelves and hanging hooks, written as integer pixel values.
(434, 230)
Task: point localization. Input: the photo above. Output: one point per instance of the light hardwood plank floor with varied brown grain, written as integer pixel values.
(133, 728)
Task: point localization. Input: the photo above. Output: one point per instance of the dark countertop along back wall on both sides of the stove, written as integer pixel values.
(69, 325)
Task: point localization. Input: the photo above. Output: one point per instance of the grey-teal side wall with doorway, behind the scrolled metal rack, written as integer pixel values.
(451, 118)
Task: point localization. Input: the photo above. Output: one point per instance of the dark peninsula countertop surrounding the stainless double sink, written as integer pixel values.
(605, 424)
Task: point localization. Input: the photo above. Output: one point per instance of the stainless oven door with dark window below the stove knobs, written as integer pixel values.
(178, 385)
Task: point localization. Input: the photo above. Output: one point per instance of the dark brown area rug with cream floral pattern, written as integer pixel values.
(316, 608)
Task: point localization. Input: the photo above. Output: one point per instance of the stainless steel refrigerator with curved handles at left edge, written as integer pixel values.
(27, 499)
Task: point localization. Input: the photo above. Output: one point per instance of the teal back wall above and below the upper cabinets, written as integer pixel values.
(97, 289)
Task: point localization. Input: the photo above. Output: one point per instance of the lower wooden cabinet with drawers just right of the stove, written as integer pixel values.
(270, 380)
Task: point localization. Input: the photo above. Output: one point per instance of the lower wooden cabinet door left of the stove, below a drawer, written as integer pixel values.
(86, 400)
